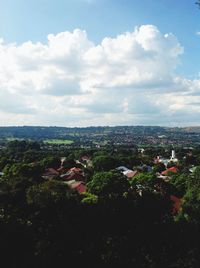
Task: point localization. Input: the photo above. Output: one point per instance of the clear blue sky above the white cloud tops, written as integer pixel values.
(22, 20)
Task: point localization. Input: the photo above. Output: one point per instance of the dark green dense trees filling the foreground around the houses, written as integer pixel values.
(118, 221)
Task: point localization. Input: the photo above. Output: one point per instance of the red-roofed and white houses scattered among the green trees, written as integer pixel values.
(75, 176)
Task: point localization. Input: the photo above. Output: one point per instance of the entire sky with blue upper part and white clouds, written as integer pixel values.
(99, 62)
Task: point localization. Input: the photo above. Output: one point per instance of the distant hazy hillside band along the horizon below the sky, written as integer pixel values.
(95, 136)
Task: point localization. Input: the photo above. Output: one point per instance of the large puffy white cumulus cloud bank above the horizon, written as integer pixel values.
(69, 80)
